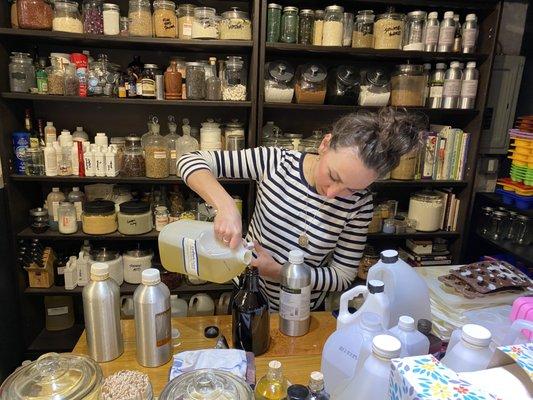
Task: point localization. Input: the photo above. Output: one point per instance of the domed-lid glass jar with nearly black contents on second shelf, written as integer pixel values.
(343, 85)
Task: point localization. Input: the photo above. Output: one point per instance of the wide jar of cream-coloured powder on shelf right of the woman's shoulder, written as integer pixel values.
(426, 208)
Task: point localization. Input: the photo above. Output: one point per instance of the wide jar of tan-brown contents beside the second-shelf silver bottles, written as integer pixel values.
(408, 85)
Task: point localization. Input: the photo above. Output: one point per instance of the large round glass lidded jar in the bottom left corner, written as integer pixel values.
(58, 376)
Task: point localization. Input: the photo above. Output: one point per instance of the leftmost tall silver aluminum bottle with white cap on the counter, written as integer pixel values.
(101, 310)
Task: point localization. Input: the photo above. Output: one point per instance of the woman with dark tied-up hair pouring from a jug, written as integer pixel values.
(317, 203)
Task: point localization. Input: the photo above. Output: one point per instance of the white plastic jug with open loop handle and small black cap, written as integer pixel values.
(376, 301)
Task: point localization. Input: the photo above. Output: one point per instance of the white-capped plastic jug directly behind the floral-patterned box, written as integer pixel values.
(471, 352)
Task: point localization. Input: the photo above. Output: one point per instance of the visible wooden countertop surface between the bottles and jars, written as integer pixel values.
(298, 355)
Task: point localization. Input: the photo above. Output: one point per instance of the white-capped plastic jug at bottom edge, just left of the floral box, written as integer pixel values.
(372, 383)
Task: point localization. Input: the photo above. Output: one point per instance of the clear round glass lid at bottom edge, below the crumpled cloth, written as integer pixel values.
(204, 384)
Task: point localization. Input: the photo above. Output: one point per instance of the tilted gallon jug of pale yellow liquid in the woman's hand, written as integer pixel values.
(191, 248)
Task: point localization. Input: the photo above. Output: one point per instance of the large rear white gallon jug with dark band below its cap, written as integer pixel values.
(407, 292)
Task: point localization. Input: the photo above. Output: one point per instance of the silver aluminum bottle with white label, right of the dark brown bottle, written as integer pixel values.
(295, 296)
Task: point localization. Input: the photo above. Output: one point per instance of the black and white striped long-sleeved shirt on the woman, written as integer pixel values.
(286, 206)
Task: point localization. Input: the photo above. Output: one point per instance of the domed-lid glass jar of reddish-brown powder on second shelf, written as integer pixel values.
(310, 87)
